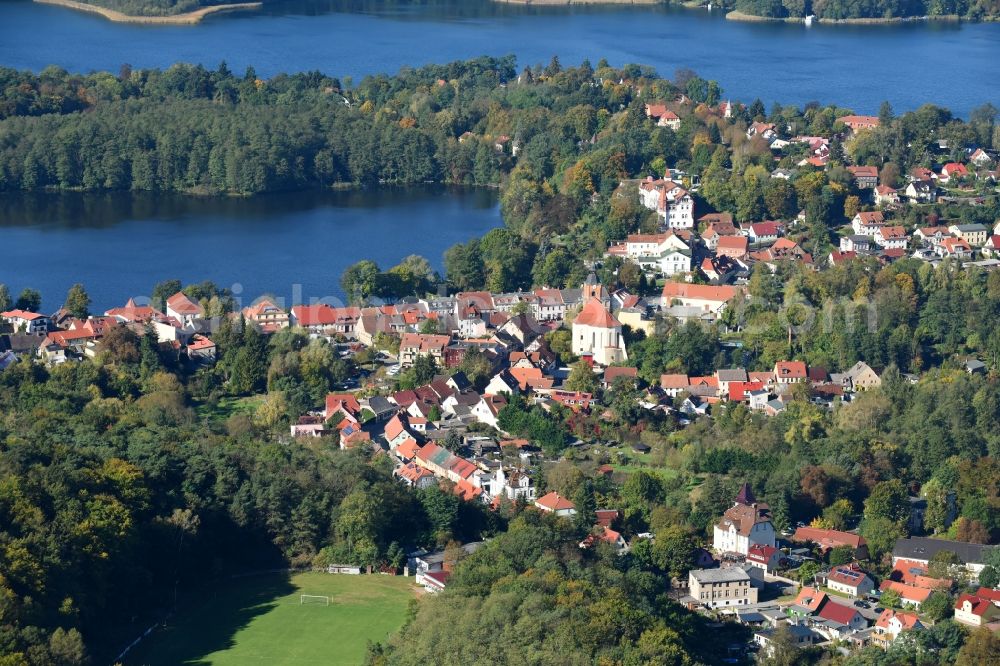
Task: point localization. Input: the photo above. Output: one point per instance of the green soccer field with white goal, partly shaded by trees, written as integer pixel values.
(259, 620)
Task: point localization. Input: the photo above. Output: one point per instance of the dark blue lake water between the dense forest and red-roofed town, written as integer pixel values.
(295, 246)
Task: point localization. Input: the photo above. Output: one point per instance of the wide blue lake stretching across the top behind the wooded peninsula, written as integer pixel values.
(950, 64)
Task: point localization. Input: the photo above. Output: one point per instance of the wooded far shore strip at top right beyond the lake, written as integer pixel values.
(869, 9)
